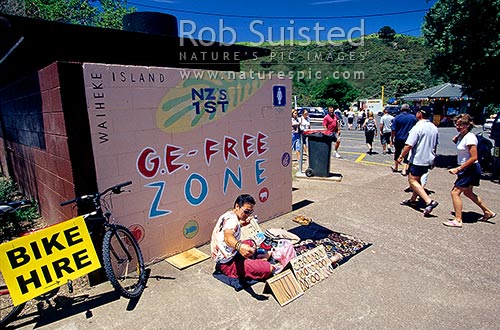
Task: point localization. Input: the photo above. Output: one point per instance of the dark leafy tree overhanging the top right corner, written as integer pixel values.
(465, 37)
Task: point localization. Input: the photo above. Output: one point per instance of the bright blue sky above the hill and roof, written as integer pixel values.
(260, 20)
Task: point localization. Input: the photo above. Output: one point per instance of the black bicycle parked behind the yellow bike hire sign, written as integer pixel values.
(121, 255)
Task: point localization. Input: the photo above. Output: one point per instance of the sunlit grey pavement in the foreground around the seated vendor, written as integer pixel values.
(418, 274)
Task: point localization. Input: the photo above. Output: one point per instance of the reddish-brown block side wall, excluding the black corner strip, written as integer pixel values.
(35, 138)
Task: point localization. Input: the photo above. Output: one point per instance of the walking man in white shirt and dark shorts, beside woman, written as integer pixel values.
(421, 146)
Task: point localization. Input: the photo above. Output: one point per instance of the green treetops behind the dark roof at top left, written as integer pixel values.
(102, 13)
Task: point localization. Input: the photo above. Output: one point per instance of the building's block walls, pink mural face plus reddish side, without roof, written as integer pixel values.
(81, 126)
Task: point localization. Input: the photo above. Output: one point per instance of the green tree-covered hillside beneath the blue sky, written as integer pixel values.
(325, 74)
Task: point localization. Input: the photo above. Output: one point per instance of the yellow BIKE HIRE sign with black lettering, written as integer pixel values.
(46, 259)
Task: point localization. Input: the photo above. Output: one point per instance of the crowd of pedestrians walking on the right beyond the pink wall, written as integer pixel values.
(414, 139)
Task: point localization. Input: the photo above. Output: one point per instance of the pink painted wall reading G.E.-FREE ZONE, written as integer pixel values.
(191, 141)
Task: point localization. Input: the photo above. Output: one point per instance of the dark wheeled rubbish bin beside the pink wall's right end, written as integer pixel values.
(320, 148)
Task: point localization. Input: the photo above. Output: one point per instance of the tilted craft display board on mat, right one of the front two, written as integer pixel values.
(311, 267)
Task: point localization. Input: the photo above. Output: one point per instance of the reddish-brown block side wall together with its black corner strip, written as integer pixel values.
(37, 114)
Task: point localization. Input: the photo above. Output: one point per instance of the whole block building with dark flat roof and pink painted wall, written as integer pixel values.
(83, 108)
